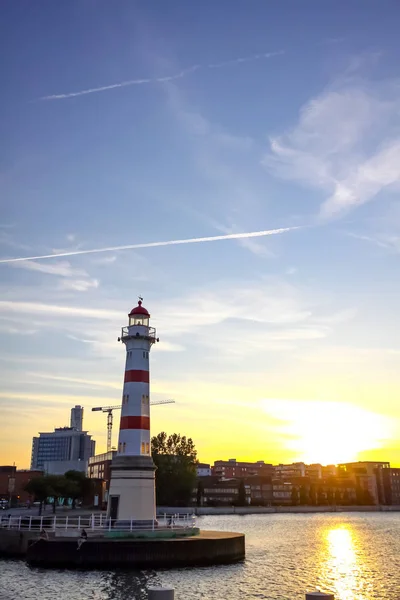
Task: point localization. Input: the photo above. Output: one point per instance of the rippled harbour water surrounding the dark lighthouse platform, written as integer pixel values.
(356, 556)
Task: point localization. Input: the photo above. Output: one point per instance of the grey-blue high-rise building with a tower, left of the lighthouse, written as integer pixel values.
(64, 449)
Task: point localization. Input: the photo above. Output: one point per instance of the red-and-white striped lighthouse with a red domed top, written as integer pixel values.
(132, 484)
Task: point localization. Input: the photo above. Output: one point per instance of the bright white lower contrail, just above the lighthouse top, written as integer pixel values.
(214, 238)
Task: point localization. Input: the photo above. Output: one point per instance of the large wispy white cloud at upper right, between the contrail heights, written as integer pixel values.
(344, 144)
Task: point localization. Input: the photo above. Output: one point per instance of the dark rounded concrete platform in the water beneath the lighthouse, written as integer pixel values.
(208, 548)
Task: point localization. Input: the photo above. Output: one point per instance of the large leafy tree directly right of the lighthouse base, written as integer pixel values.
(175, 457)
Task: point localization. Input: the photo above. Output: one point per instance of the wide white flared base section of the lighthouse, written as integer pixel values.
(132, 490)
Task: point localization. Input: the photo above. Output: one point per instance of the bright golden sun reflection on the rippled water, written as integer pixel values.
(345, 570)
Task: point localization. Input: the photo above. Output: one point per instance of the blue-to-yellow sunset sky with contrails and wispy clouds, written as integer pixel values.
(146, 123)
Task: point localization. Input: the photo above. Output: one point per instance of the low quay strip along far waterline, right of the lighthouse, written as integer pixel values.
(264, 510)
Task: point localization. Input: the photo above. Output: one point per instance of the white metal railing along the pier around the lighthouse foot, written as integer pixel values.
(96, 524)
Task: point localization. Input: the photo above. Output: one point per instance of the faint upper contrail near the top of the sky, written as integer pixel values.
(179, 75)
